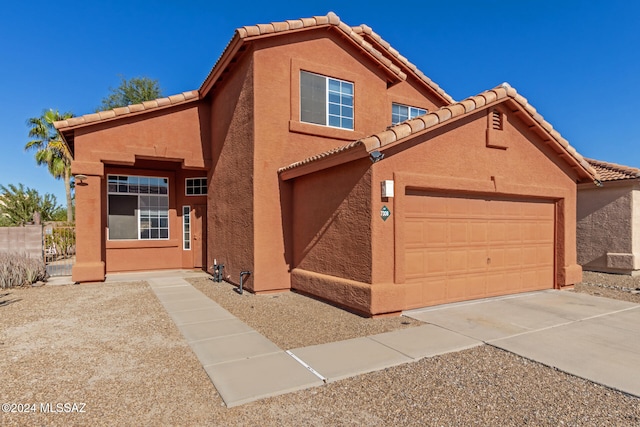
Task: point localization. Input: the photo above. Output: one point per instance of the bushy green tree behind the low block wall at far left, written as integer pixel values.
(18, 204)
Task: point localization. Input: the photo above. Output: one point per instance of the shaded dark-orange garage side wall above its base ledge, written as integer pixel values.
(326, 215)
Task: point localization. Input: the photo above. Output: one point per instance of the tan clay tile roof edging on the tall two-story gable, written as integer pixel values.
(379, 53)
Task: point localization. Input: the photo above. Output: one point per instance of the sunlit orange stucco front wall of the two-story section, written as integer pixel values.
(280, 137)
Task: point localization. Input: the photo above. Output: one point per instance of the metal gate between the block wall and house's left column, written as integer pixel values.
(59, 248)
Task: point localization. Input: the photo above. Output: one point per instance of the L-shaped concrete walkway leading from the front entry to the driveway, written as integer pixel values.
(245, 366)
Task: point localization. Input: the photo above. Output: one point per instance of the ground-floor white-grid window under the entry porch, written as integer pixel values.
(138, 207)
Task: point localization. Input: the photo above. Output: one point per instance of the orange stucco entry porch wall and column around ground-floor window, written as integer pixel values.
(169, 140)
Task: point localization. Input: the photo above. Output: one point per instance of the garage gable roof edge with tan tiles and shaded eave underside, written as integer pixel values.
(404, 131)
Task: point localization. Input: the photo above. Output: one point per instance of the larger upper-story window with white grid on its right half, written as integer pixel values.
(326, 101)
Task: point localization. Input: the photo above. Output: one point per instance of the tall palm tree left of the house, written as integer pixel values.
(51, 150)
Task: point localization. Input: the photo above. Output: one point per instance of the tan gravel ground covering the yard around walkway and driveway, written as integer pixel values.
(114, 348)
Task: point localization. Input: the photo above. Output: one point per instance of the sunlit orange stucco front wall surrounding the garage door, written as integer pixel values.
(455, 158)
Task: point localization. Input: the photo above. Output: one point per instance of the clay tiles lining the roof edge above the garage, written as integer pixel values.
(447, 113)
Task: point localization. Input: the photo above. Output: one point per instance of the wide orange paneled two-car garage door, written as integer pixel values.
(460, 248)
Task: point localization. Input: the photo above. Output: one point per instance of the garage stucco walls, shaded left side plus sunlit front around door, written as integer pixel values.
(453, 159)
